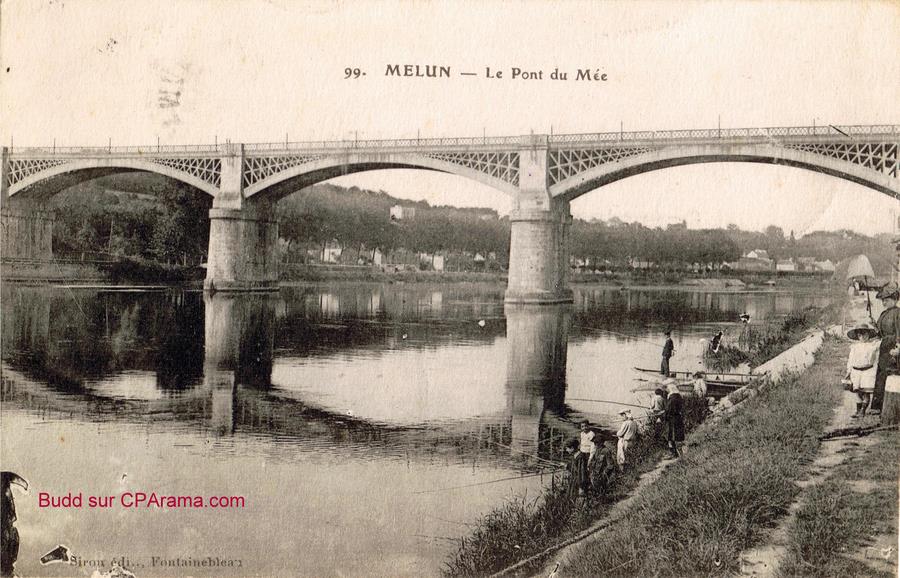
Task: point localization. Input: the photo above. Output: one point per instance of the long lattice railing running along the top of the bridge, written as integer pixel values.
(846, 131)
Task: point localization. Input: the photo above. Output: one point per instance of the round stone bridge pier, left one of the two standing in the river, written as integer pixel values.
(243, 236)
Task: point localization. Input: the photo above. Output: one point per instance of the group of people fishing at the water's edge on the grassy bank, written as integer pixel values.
(593, 469)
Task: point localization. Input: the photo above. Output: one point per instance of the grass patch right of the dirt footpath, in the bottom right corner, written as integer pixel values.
(836, 520)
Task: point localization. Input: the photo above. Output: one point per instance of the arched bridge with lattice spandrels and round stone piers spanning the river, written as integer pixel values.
(541, 173)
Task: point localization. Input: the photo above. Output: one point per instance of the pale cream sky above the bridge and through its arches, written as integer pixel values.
(185, 72)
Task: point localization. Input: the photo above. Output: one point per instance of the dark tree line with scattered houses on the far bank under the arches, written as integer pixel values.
(151, 217)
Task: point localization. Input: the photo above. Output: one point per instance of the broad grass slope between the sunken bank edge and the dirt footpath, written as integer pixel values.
(736, 481)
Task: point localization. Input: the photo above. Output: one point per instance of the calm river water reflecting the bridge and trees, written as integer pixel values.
(364, 426)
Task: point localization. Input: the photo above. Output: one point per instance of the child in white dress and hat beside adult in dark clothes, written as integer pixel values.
(874, 354)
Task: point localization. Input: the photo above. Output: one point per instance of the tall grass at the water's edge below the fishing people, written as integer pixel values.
(523, 527)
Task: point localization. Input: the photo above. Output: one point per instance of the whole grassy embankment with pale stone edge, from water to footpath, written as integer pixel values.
(735, 479)
